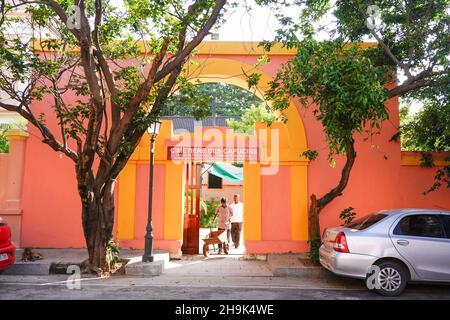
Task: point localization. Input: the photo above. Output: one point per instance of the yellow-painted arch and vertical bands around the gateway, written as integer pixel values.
(292, 142)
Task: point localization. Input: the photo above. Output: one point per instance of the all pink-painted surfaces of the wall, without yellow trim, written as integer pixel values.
(51, 206)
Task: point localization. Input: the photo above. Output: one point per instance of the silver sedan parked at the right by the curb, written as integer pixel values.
(390, 248)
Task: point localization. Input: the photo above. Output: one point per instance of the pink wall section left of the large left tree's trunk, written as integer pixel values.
(51, 206)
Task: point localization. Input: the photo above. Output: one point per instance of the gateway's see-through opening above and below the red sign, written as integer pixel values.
(221, 107)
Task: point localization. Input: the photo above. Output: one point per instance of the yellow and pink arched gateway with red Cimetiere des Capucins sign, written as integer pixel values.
(275, 181)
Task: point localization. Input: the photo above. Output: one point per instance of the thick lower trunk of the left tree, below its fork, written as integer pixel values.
(98, 221)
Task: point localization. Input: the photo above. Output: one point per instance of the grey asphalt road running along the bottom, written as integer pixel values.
(194, 287)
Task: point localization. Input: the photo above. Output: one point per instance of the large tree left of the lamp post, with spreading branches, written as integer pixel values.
(121, 83)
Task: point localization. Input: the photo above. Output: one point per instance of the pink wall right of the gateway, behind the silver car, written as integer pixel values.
(378, 180)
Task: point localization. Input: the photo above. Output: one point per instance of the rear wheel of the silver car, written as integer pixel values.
(391, 279)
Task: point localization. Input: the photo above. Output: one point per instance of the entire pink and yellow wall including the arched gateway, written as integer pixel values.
(45, 215)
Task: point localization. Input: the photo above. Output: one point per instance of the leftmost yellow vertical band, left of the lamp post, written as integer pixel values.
(127, 202)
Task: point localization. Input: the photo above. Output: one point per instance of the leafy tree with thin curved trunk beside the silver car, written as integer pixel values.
(349, 86)
